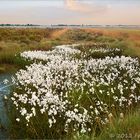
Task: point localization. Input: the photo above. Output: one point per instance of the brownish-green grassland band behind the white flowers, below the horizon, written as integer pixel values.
(14, 41)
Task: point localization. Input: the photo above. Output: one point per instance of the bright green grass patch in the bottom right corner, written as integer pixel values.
(123, 128)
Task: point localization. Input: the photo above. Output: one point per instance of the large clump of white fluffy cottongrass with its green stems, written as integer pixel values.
(67, 95)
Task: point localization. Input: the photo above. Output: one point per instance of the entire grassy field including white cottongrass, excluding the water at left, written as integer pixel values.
(72, 83)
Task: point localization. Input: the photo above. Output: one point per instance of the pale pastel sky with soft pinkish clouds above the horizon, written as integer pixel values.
(46, 12)
